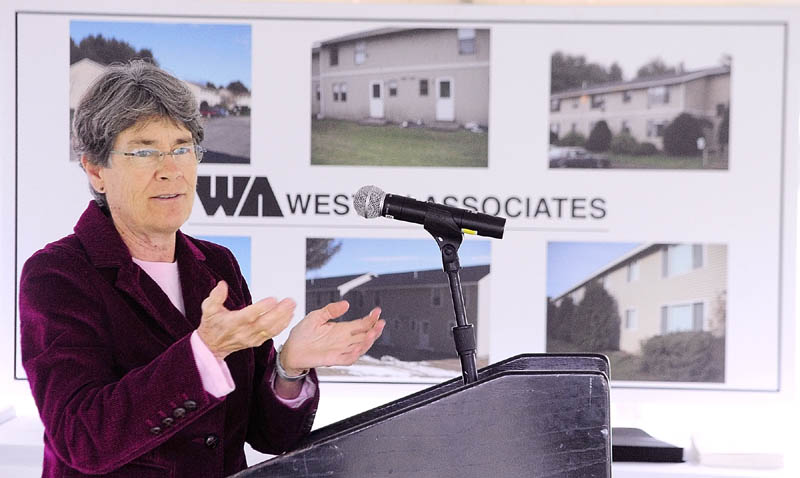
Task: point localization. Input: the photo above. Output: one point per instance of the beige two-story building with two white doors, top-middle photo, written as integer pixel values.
(421, 76)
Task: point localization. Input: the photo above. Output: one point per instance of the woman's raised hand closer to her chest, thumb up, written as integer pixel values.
(225, 331)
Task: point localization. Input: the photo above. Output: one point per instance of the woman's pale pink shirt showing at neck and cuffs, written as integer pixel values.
(214, 373)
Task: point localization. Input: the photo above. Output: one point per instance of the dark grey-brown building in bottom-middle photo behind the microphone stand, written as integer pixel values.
(416, 305)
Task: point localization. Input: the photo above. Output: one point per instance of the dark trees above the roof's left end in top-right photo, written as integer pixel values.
(568, 72)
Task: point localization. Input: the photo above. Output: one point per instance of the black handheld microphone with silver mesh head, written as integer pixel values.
(371, 201)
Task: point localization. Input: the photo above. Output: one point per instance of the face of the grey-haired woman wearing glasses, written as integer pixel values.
(151, 197)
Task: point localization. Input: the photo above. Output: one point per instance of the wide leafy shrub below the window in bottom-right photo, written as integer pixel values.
(685, 357)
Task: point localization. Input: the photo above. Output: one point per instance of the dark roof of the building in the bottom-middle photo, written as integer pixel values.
(412, 278)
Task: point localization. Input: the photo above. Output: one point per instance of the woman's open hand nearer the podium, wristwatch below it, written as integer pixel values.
(317, 341)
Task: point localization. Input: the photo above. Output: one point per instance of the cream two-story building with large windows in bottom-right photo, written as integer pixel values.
(663, 288)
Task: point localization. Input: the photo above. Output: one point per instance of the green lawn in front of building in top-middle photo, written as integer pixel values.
(336, 142)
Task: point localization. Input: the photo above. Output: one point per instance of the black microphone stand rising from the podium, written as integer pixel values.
(440, 224)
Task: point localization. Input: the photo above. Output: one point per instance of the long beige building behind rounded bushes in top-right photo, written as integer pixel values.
(644, 107)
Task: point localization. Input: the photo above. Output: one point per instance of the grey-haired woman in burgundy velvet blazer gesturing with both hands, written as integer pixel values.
(144, 351)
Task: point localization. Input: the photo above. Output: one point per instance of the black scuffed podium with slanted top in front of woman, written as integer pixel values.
(533, 415)
